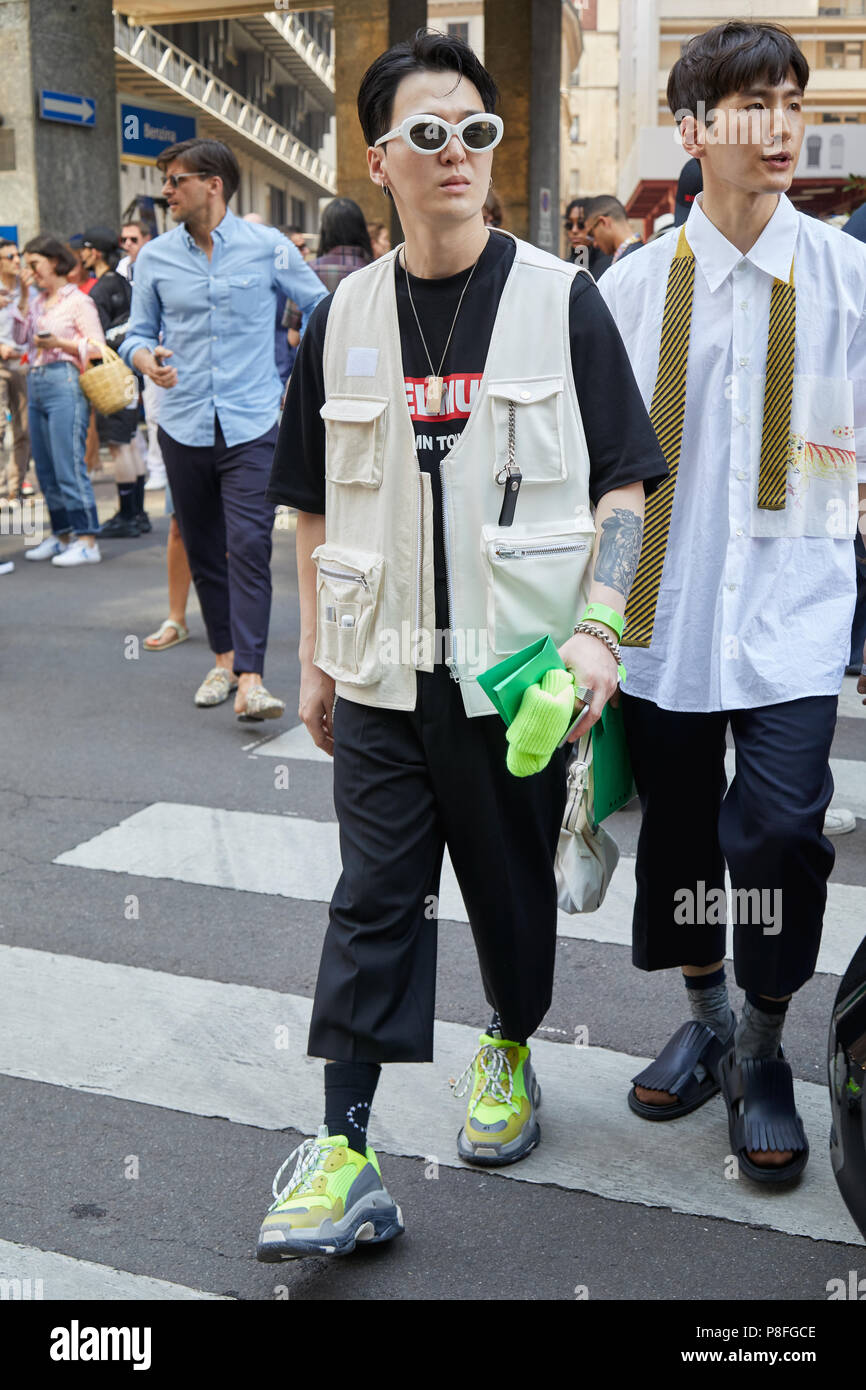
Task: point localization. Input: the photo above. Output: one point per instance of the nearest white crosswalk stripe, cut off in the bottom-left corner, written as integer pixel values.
(31, 1274)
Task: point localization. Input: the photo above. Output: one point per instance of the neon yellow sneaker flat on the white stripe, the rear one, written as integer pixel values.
(501, 1125)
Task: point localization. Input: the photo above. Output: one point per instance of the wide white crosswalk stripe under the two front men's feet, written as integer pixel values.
(205, 1047)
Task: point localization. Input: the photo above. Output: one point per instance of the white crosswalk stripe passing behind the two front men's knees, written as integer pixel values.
(297, 858)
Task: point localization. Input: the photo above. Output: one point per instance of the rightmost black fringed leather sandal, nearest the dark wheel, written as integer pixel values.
(762, 1115)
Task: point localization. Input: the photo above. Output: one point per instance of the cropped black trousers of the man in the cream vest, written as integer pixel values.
(405, 786)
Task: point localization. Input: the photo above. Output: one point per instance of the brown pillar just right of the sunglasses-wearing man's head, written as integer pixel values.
(523, 52)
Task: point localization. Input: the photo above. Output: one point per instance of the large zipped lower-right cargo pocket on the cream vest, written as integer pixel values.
(534, 580)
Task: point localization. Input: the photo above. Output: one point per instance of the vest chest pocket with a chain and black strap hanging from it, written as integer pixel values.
(539, 430)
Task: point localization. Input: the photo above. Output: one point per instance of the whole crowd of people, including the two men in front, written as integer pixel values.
(457, 468)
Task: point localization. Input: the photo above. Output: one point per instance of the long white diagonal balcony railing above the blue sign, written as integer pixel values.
(154, 55)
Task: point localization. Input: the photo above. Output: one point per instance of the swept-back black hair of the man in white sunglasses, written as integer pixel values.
(429, 52)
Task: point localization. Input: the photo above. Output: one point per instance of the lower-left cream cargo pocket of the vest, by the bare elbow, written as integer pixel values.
(347, 597)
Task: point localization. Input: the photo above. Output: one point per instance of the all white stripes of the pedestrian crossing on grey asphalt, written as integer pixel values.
(205, 1047)
